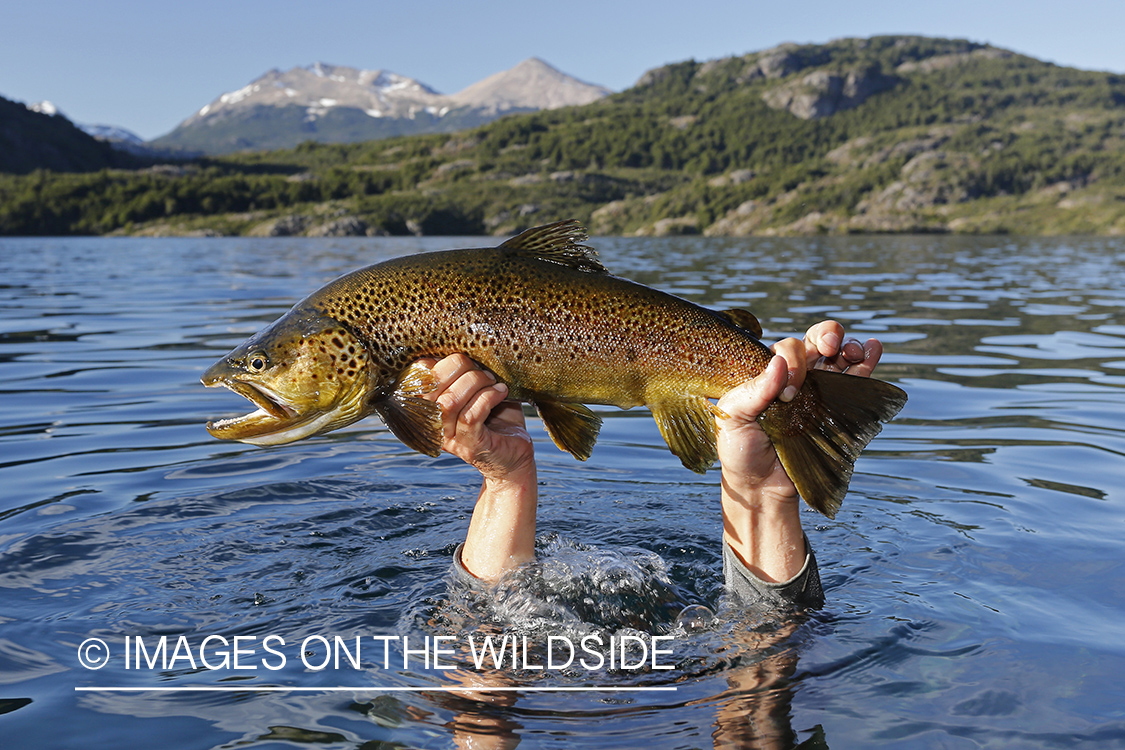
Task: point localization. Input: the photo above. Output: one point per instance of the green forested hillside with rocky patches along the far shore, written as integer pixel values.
(890, 134)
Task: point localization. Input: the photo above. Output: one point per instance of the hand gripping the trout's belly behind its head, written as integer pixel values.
(479, 426)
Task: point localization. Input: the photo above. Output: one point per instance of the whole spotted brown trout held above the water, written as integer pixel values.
(544, 315)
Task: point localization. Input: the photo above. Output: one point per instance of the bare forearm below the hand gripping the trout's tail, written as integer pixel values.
(762, 526)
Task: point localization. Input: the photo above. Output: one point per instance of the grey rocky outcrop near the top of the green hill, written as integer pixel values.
(822, 94)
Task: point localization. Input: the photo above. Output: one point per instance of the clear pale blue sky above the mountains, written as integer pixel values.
(148, 66)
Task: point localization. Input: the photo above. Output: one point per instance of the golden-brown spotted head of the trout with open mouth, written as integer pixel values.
(307, 374)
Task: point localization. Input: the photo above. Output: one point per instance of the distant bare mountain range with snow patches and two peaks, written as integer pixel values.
(334, 104)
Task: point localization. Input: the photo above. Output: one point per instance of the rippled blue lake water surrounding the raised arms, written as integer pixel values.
(976, 576)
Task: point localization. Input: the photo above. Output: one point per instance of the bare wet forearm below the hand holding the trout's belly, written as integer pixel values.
(502, 532)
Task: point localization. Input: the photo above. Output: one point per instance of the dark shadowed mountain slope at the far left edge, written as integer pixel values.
(38, 137)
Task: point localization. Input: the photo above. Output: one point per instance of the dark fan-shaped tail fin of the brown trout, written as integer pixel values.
(821, 433)
